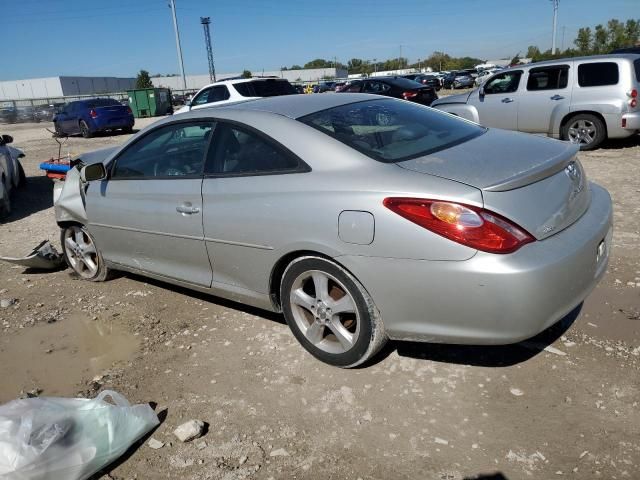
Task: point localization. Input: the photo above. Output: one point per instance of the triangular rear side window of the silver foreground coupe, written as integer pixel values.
(240, 151)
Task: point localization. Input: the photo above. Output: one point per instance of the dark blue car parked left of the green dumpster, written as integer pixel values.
(87, 117)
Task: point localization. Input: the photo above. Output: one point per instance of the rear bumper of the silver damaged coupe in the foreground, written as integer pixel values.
(491, 299)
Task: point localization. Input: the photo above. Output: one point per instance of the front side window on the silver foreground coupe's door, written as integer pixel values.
(175, 150)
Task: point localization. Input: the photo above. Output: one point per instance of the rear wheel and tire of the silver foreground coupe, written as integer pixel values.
(344, 339)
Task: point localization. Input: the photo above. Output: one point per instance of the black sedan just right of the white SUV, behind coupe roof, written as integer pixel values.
(396, 87)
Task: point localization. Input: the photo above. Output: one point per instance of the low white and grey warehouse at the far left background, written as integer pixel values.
(54, 87)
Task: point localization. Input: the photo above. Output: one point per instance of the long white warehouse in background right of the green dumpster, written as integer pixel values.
(196, 82)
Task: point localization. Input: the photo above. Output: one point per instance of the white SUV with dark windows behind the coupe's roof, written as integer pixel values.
(237, 90)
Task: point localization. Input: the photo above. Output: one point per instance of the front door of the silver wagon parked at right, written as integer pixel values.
(497, 101)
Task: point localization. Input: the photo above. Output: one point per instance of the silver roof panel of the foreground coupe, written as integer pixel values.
(292, 106)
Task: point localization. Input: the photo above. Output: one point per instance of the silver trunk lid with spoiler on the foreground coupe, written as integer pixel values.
(534, 181)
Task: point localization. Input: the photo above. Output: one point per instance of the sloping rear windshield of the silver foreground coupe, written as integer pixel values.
(391, 130)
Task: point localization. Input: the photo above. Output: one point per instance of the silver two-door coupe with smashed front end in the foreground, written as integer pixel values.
(359, 217)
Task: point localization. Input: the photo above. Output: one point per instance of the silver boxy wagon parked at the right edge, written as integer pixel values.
(584, 100)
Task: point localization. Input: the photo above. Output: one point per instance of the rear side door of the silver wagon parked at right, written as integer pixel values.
(547, 98)
